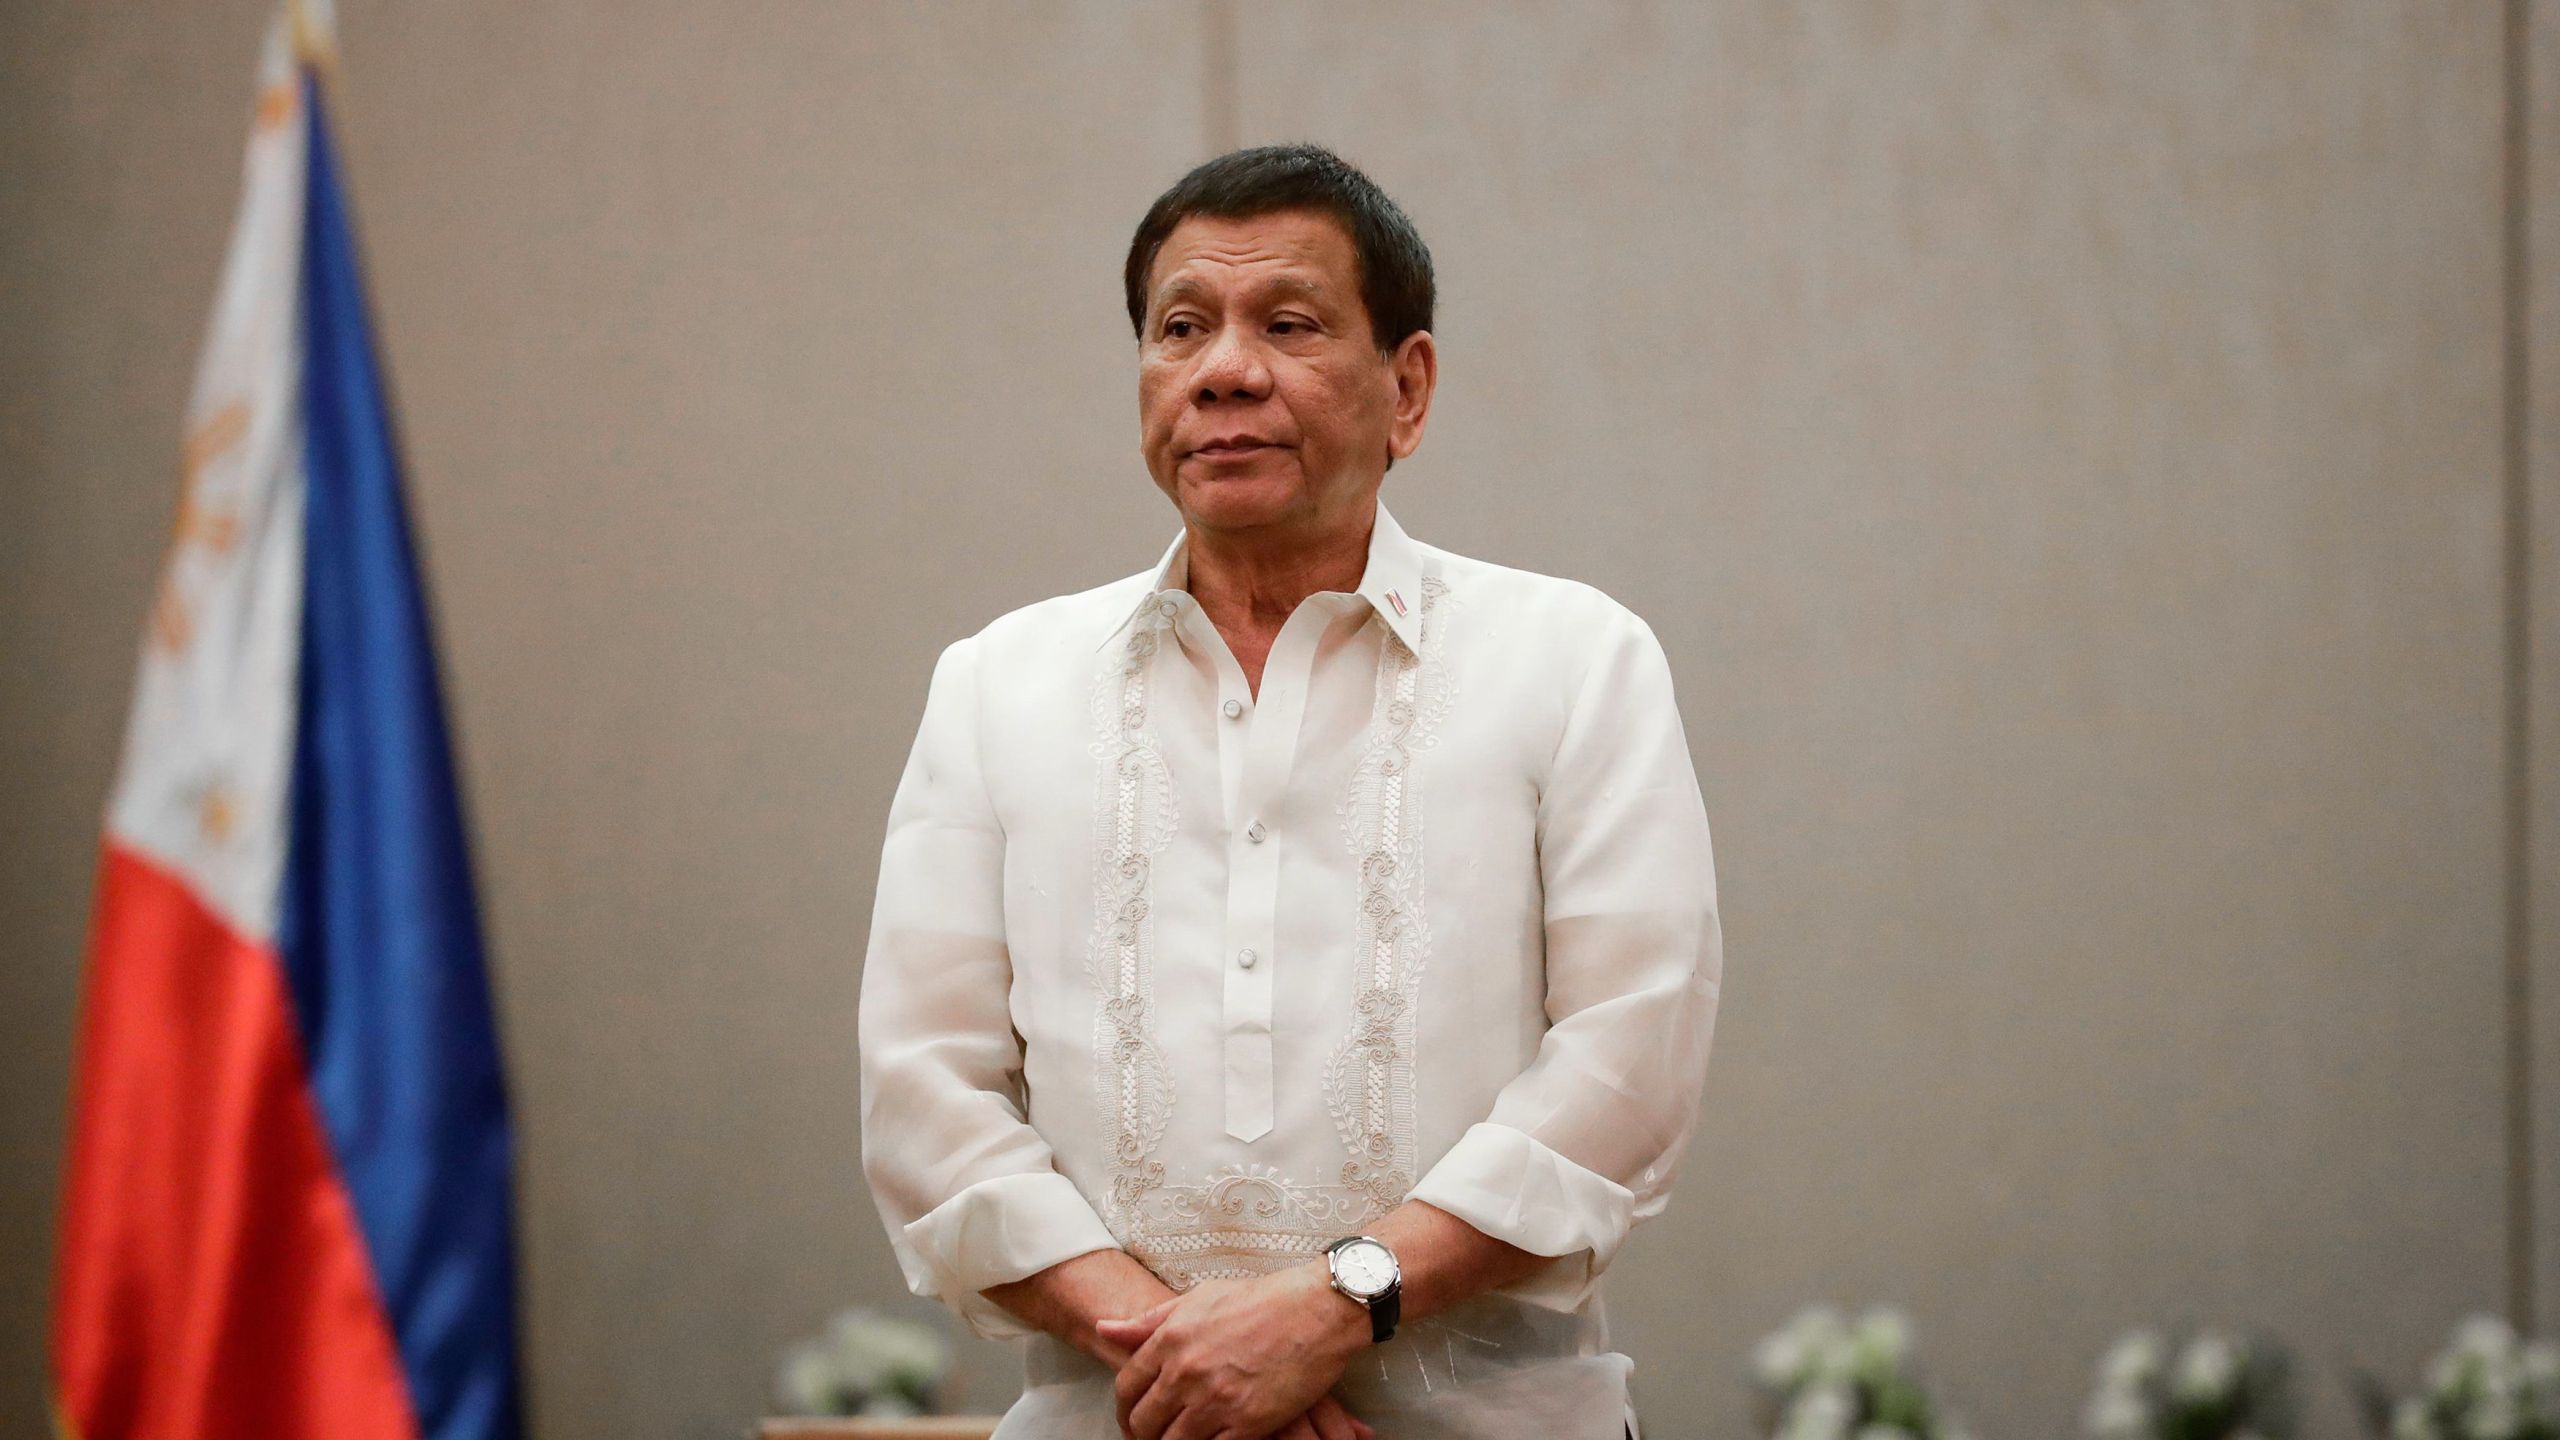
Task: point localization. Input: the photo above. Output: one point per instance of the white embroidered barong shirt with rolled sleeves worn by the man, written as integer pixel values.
(1220, 978)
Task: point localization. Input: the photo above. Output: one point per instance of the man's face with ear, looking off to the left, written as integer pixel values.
(1263, 398)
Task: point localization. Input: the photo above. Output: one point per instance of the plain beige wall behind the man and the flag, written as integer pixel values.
(2067, 455)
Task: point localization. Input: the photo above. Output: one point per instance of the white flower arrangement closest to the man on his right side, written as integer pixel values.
(1824, 1377)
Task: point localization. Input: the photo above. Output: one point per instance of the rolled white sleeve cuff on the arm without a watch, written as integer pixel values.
(995, 1234)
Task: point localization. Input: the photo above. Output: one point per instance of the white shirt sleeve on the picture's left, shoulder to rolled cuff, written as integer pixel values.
(966, 1188)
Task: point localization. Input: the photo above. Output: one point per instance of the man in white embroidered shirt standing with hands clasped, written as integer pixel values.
(1294, 967)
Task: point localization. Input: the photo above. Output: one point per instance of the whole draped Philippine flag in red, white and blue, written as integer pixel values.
(288, 1193)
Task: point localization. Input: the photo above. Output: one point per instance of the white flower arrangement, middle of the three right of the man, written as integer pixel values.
(2211, 1385)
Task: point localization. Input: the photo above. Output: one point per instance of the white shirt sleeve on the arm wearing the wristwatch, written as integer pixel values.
(1588, 1139)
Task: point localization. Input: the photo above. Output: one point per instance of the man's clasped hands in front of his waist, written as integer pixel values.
(1243, 1362)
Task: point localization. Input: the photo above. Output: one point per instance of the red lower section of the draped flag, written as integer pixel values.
(206, 1239)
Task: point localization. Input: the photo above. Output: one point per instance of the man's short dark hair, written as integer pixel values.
(1238, 186)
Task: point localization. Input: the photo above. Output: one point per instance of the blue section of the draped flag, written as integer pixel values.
(380, 924)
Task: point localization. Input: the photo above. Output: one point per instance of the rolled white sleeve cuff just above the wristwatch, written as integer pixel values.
(1522, 1193)
